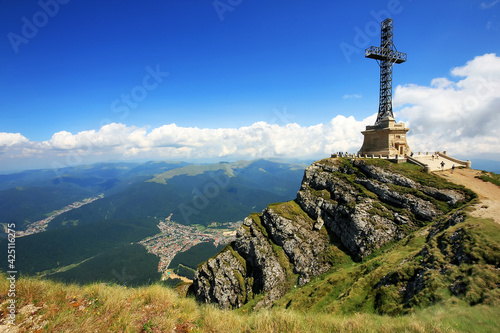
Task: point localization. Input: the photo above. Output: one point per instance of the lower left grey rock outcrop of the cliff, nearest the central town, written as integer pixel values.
(271, 251)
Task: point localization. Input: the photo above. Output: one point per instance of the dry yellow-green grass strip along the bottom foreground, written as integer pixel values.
(46, 306)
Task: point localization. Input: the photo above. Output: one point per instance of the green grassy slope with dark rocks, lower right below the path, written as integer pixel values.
(457, 266)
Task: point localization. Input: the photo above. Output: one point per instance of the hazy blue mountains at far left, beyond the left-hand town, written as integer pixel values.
(32, 195)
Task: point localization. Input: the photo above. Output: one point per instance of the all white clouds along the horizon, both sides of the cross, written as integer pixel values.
(462, 117)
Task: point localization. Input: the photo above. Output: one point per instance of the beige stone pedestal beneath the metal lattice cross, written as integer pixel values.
(387, 138)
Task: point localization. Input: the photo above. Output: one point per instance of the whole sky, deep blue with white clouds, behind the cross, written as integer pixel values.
(121, 73)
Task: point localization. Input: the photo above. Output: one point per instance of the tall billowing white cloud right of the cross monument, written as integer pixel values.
(462, 116)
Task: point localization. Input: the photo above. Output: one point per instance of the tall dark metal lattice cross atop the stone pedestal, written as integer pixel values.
(386, 56)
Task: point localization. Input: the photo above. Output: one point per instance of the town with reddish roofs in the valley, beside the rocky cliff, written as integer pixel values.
(175, 238)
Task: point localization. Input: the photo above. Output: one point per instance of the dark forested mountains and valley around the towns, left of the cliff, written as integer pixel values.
(88, 243)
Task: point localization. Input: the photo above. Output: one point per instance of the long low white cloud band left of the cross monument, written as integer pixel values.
(173, 142)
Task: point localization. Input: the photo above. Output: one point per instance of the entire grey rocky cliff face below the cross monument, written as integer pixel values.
(343, 206)
